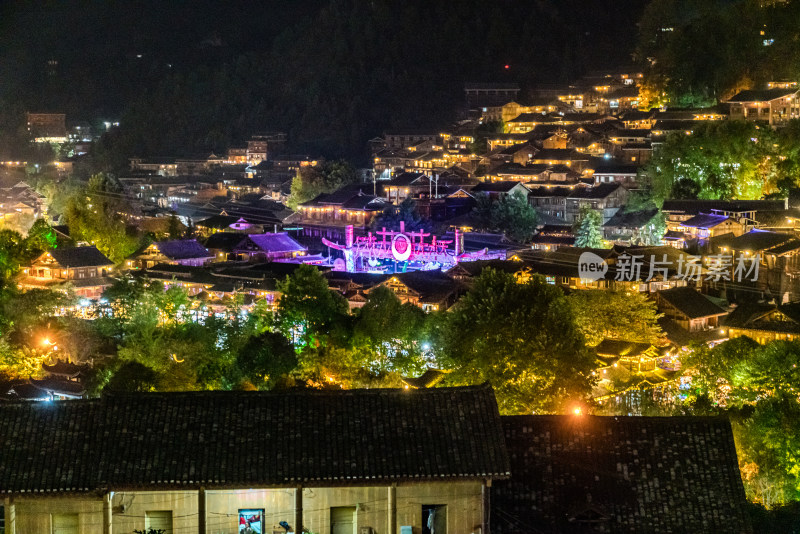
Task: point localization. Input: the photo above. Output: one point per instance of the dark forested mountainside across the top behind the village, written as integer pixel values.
(332, 74)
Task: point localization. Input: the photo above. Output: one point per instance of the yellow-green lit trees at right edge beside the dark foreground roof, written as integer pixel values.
(760, 386)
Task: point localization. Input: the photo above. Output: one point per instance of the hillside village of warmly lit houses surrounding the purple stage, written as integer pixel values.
(562, 150)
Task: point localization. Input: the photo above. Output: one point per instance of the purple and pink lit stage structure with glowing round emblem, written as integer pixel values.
(391, 251)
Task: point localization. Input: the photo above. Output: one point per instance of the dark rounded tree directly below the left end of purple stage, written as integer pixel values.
(308, 312)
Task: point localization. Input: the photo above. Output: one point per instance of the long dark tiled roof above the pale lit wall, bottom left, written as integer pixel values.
(251, 439)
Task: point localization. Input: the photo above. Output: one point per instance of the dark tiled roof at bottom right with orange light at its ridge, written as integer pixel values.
(619, 474)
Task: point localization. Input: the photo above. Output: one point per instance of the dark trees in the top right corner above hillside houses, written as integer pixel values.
(743, 44)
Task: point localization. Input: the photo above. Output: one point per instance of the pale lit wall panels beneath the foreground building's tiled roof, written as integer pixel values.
(462, 499)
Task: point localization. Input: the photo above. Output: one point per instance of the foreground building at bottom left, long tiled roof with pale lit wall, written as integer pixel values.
(378, 461)
